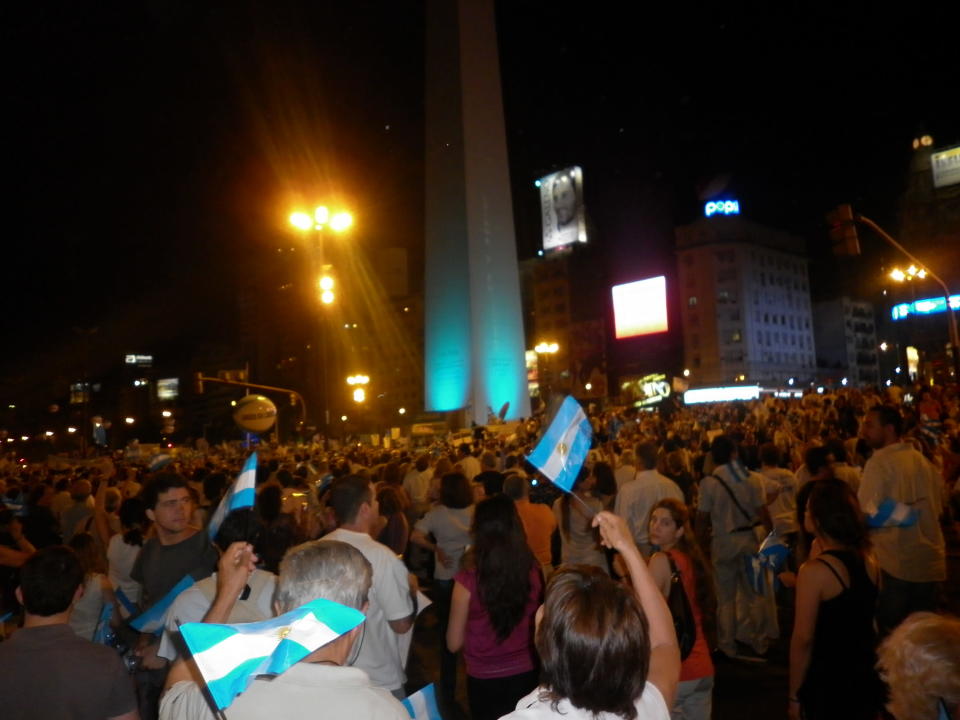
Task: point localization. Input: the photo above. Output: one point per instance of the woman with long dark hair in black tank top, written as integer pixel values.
(833, 648)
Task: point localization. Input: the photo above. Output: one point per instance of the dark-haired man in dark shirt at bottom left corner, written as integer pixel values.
(47, 670)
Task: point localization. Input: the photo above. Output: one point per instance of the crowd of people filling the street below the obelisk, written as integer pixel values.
(560, 604)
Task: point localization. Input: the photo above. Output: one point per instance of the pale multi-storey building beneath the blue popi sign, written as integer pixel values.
(745, 303)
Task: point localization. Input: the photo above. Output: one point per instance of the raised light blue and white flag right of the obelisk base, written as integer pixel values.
(563, 448)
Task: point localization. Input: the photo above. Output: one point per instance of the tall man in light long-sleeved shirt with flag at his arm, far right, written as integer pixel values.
(912, 559)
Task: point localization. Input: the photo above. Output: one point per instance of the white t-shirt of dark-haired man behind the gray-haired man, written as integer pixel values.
(380, 654)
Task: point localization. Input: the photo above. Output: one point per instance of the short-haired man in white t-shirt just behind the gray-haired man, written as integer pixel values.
(392, 607)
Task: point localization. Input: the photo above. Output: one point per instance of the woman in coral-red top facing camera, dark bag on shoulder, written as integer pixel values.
(670, 531)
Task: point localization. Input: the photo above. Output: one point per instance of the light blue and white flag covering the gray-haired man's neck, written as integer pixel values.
(230, 656)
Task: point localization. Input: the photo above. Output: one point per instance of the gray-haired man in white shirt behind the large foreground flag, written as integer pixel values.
(321, 681)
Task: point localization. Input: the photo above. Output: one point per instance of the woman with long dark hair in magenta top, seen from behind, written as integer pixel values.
(495, 598)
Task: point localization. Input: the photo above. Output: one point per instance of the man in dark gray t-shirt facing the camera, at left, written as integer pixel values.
(177, 549)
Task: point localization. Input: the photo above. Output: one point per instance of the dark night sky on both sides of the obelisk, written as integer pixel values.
(150, 146)
